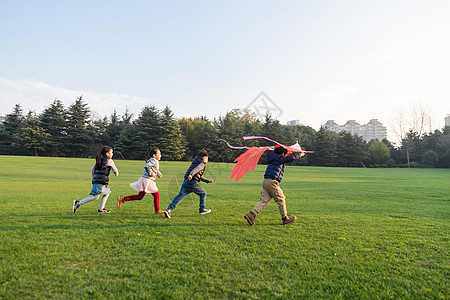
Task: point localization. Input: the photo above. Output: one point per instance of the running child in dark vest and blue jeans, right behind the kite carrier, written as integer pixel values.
(193, 175)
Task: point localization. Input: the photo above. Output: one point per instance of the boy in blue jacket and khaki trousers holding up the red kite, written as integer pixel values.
(271, 185)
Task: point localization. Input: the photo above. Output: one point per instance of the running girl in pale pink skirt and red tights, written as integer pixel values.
(146, 184)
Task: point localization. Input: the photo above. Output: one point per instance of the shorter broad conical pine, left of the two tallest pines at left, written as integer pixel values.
(32, 136)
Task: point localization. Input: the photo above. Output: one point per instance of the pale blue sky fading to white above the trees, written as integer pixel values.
(308, 60)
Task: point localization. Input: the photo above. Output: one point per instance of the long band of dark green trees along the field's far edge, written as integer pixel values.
(74, 131)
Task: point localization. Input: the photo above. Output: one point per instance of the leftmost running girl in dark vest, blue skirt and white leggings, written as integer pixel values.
(100, 179)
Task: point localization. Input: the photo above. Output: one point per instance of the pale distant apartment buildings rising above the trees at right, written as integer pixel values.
(370, 131)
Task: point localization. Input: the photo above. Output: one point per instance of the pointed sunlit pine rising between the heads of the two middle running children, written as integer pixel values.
(172, 143)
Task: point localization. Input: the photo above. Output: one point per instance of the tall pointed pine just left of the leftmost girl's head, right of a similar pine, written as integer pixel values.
(79, 131)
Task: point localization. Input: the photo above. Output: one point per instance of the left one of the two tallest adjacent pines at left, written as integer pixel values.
(53, 120)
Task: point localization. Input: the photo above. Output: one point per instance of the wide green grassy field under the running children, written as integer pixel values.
(361, 234)
